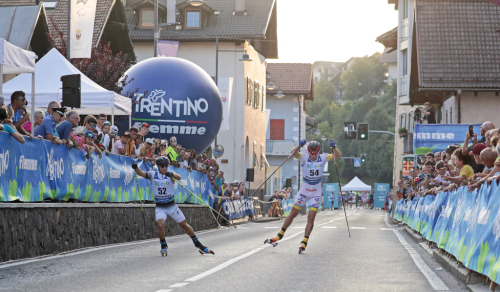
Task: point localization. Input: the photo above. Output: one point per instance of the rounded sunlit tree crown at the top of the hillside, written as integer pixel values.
(364, 76)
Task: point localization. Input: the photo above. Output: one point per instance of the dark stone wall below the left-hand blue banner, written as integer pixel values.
(35, 229)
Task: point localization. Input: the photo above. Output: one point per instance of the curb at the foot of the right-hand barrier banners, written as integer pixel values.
(448, 264)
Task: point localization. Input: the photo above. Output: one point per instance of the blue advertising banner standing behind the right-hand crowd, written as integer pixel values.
(436, 137)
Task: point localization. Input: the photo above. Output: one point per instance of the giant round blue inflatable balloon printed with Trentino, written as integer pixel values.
(176, 98)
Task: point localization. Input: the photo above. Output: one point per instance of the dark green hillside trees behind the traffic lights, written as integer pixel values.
(378, 109)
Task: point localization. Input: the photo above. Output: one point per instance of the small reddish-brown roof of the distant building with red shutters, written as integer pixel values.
(292, 78)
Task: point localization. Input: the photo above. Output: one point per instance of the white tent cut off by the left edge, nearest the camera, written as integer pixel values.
(14, 60)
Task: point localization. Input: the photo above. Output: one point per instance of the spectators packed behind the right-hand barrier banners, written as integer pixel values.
(474, 163)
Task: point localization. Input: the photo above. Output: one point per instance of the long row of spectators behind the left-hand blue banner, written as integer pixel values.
(97, 134)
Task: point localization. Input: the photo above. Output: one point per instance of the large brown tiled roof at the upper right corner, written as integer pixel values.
(453, 53)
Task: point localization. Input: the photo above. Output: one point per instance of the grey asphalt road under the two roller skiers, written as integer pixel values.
(378, 257)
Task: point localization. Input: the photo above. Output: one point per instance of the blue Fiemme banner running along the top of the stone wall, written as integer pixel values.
(38, 170)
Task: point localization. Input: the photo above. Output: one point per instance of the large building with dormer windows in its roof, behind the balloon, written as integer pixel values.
(231, 28)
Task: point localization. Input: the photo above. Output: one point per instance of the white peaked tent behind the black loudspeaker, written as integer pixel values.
(94, 98)
